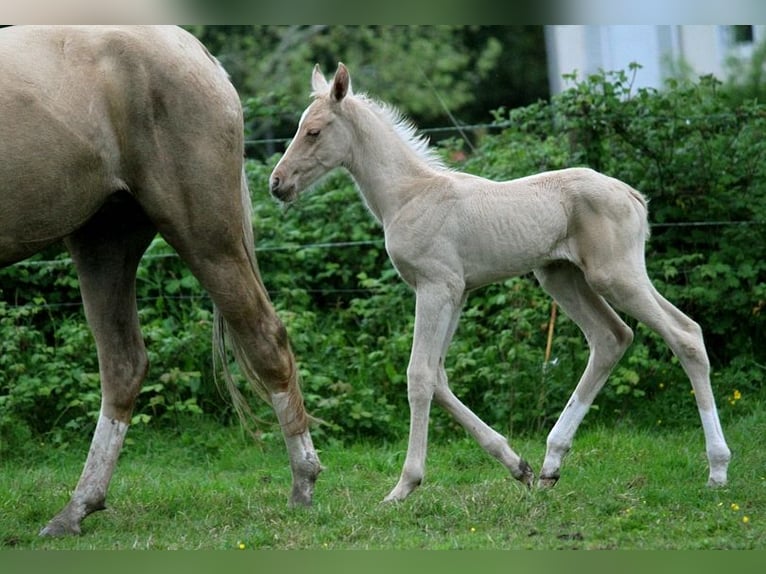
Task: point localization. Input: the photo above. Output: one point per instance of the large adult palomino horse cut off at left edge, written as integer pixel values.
(110, 136)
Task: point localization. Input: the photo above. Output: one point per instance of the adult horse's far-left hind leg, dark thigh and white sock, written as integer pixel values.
(106, 252)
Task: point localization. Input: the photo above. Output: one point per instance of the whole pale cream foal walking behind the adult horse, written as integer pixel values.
(581, 232)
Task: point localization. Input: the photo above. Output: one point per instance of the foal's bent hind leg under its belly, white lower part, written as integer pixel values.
(608, 337)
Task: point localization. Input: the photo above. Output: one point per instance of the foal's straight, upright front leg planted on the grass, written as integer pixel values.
(434, 309)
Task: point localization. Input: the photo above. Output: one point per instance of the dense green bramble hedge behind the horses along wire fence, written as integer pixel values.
(695, 149)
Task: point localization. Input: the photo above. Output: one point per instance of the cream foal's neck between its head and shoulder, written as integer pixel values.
(384, 164)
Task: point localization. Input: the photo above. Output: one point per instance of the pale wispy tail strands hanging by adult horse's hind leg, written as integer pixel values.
(224, 337)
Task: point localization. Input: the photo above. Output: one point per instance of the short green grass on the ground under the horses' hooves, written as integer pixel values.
(210, 488)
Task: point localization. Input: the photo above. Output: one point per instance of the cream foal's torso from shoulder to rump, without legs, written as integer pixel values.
(489, 230)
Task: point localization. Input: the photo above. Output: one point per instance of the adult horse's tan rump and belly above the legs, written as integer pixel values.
(91, 110)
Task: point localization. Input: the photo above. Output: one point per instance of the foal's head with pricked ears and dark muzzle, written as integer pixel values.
(322, 142)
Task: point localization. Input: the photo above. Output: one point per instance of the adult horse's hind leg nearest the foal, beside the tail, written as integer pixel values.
(220, 257)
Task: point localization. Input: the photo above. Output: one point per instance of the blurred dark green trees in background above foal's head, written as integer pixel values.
(457, 70)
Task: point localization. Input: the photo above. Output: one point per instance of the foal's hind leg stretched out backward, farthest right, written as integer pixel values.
(639, 298)
